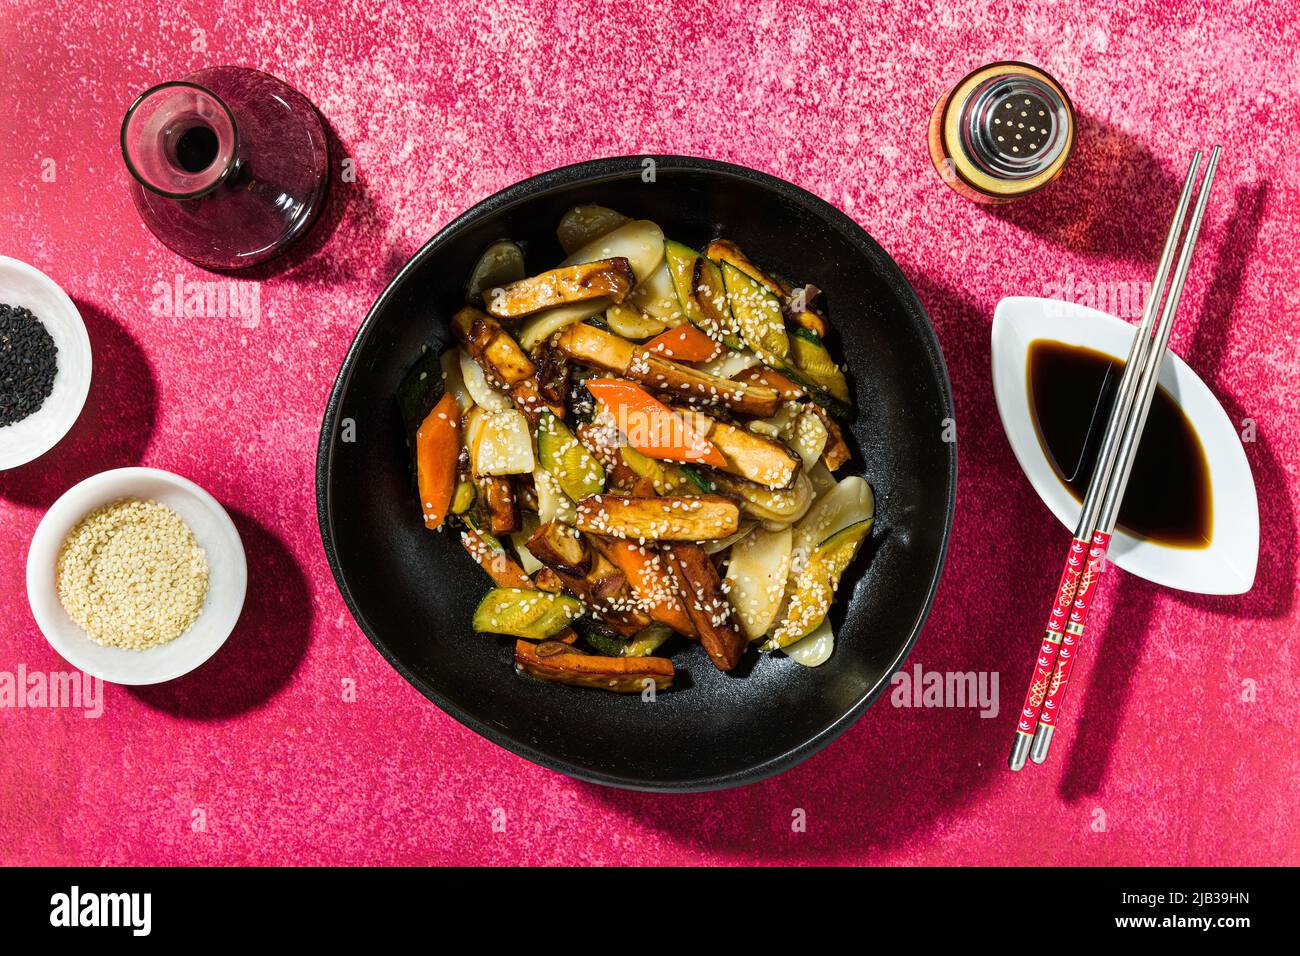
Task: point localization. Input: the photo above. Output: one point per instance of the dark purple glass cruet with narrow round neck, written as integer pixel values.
(231, 166)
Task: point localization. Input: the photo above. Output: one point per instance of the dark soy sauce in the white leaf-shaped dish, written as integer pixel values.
(1072, 392)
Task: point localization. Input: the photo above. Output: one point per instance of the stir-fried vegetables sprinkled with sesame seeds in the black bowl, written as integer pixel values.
(640, 447)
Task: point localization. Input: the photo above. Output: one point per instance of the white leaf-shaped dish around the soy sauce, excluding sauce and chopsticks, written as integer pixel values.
(1227, 566)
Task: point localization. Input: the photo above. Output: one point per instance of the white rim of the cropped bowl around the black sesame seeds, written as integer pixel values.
(28, 287)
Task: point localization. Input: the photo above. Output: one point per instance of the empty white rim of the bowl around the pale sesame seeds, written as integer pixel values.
(216, 534)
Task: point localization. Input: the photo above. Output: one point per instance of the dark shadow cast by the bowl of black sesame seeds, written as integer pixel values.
(114, 430)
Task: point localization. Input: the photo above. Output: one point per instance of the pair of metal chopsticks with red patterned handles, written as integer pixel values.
(1087, 555)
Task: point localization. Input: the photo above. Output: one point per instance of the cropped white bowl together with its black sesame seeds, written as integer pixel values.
(45, 364)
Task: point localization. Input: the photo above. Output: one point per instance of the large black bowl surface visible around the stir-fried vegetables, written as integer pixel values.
(414, 592)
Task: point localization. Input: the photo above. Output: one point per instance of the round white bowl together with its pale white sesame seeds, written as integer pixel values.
(137, 576)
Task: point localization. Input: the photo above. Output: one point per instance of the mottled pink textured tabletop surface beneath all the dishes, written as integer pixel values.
(441, 107)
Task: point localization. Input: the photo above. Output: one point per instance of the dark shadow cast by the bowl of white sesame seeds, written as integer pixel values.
(266, 648)
